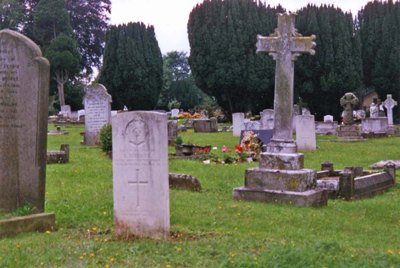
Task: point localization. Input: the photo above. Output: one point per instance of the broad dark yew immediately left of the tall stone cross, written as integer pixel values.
(222, 37)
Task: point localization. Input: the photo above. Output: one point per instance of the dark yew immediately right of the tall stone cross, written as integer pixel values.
(321, 80)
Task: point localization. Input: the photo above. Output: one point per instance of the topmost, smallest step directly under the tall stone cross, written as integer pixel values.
(282, 161)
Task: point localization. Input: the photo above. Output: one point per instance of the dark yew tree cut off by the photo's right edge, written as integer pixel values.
(379, 28)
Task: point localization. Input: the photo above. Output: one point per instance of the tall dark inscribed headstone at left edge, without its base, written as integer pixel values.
(24, 84)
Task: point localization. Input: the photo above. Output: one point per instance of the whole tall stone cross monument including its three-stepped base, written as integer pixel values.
(281, 176)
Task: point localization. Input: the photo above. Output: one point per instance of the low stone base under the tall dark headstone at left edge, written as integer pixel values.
(41, 222)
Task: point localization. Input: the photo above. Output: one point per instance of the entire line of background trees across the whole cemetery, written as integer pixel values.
(351, 55)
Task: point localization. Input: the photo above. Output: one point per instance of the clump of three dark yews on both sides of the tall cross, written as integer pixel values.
(350, 55)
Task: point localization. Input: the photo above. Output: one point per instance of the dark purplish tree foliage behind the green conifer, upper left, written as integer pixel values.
(88, 19)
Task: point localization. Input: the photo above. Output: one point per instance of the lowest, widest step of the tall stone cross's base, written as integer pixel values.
(310, 198)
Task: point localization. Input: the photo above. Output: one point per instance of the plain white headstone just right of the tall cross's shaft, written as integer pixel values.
(305, 133)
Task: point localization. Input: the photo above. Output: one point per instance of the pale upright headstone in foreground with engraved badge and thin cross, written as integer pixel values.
(140, 174)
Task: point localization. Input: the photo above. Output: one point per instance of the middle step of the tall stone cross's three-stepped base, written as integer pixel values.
(283, 180)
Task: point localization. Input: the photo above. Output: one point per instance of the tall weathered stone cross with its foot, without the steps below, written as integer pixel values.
(284, 45)
